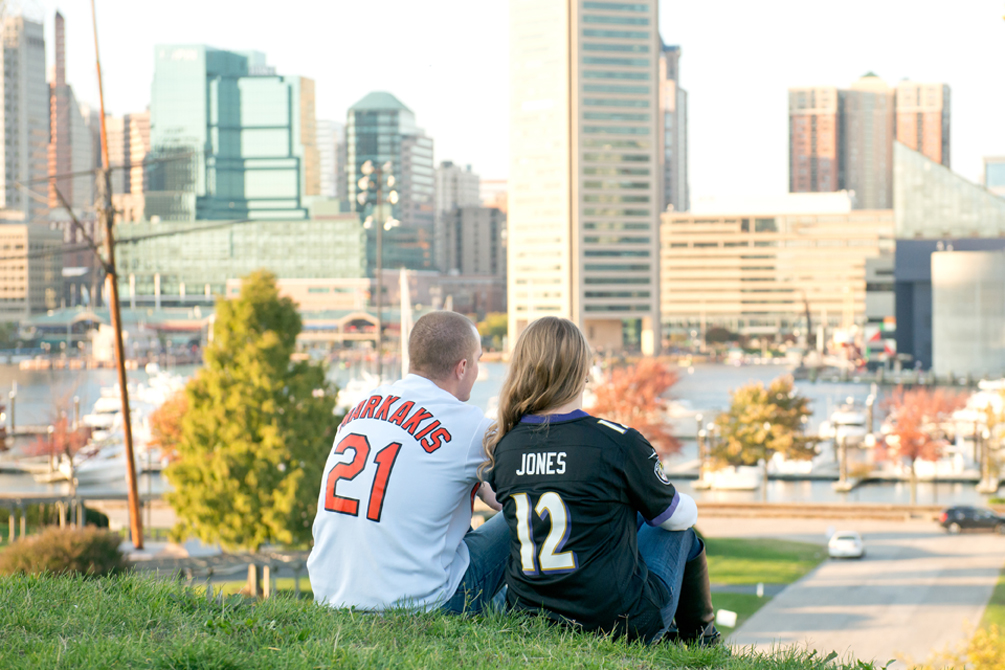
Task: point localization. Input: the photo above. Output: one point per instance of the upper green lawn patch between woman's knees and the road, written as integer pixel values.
(735, 561)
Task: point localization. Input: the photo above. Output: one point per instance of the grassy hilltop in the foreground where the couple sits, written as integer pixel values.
(135, 621)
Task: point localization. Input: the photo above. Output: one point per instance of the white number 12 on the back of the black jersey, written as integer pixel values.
(551, 559)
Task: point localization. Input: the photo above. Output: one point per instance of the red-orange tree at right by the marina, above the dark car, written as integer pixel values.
(918, 416)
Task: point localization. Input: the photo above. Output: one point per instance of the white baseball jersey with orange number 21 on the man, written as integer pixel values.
(396, 499)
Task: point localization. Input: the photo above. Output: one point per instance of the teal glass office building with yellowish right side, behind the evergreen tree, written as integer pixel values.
(231, 139)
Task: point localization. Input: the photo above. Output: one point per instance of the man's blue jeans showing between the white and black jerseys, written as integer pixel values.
(489, 548)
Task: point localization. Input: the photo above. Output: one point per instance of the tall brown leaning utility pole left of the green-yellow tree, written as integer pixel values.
(105, 211)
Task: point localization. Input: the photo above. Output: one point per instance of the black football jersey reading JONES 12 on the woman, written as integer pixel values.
(571, 487)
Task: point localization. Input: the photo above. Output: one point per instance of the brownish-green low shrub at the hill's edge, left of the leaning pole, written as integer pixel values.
(90, 552)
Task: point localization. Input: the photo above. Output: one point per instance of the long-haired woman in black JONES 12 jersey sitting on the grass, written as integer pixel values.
(575, 492)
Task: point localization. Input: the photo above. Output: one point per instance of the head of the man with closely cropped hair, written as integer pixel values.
(440, 341)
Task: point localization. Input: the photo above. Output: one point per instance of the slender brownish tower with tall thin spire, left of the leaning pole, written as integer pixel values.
(71, 149)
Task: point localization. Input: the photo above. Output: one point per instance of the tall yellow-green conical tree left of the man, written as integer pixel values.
(259, 428)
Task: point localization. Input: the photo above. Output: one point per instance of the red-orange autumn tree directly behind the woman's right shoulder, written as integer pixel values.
(635, 396)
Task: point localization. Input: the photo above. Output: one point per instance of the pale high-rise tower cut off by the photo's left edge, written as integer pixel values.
(26, 115)
